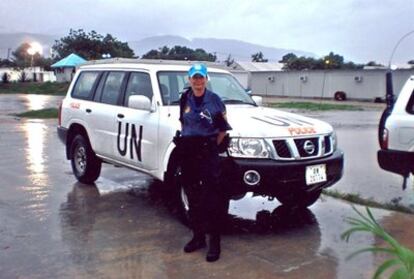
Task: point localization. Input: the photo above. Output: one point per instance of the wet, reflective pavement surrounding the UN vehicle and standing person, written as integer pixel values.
(124, 227)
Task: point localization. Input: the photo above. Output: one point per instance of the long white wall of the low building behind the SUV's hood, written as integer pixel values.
(324, 84)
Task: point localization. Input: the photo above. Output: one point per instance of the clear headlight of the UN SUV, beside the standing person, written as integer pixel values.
(248, 148)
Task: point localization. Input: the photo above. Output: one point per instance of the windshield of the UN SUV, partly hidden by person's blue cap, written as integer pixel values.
(225, 85)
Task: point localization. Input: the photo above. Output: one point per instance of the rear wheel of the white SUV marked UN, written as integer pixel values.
(85, 165)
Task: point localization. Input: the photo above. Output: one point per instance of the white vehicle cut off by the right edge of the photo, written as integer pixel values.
(396, 133)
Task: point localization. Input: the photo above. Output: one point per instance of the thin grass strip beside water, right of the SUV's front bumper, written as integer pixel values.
(355, 198)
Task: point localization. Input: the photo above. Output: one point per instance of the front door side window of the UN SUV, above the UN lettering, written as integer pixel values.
(138, 84)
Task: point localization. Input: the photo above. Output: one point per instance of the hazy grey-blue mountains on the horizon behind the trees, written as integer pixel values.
(239, 50)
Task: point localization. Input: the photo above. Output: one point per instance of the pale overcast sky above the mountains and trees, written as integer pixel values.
(361, 30)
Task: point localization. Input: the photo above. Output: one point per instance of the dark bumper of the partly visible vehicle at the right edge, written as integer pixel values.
(400, 162)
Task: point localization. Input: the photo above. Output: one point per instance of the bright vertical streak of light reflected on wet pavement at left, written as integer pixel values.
(35, 132)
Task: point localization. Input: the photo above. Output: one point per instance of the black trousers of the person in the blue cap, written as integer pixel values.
(201, 181)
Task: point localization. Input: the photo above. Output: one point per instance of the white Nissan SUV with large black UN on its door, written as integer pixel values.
(125, 112)
